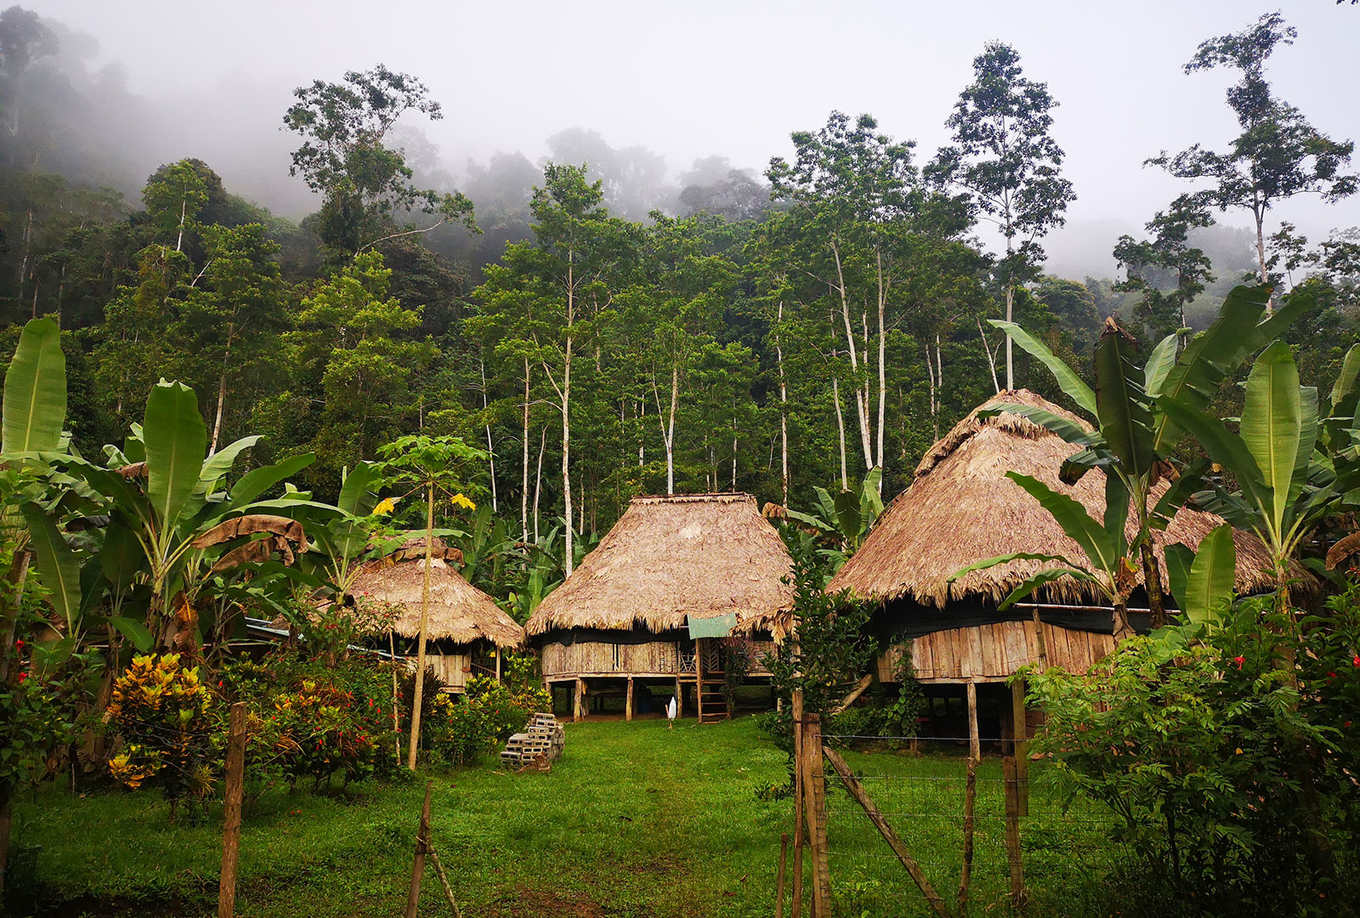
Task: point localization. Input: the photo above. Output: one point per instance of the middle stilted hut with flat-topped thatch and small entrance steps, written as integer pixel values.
(663, 599)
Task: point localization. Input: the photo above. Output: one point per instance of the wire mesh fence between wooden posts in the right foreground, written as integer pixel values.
(1067, 848)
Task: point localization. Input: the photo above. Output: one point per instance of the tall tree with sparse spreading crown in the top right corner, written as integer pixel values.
(1278, 156)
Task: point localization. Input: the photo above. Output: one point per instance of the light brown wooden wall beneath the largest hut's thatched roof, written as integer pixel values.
(995, 651)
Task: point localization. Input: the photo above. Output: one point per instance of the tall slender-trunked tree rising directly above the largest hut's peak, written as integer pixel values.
(1007, 161)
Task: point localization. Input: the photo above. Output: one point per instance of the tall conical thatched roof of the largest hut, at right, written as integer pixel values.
(962, 509)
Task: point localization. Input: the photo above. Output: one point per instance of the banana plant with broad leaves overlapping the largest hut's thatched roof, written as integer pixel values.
(1132, 435)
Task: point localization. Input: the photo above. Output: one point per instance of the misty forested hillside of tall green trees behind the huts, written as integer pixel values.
(600, 327)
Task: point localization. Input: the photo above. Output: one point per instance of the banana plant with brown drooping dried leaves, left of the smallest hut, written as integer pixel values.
(171, 523)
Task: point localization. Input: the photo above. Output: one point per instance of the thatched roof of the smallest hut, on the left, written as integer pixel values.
(459, 611)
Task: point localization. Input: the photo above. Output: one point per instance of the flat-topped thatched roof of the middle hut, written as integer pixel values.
(674, 558)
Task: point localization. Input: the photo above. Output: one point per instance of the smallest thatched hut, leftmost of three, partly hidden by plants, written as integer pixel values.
(464, 626)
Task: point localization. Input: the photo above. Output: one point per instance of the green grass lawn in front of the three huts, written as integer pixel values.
(633, 821)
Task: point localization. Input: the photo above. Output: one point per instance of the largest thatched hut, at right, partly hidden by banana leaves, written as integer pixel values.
(962, 509)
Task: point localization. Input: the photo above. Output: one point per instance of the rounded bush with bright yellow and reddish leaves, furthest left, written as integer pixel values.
(163, 712)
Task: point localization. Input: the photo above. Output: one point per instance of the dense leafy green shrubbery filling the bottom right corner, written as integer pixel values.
(1210, 753)
